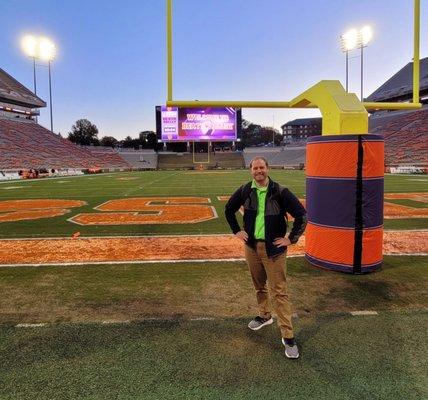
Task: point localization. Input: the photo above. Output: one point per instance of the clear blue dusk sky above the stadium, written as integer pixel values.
(111, 62)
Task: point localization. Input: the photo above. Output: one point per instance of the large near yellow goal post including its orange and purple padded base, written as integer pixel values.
(345, 166)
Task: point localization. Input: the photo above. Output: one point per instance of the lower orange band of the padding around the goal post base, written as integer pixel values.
(337, 245)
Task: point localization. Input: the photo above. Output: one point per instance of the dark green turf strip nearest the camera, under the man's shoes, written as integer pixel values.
(343, 357)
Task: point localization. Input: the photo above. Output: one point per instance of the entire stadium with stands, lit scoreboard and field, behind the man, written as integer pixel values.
(120, 277)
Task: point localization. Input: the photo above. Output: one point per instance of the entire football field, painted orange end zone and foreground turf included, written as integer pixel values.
(86, 312)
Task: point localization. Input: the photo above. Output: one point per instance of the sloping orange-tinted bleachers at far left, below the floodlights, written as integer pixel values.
(25, 144)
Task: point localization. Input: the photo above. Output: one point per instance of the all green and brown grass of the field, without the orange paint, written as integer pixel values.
(173, 357)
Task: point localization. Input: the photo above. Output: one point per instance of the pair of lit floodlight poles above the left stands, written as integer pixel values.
(40, 48)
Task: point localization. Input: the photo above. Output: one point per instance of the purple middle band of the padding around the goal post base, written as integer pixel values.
(331, 202)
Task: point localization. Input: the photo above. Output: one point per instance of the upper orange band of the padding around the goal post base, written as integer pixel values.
(326, 159)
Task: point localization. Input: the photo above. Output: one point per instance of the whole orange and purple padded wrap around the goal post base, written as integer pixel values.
(344, 200)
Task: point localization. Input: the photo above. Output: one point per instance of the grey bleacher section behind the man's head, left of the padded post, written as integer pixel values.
(277, 157)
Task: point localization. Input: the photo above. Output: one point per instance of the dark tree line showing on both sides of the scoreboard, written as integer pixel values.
(85, 133)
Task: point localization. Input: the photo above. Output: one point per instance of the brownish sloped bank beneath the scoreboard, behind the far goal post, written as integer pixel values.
(169, 160)
